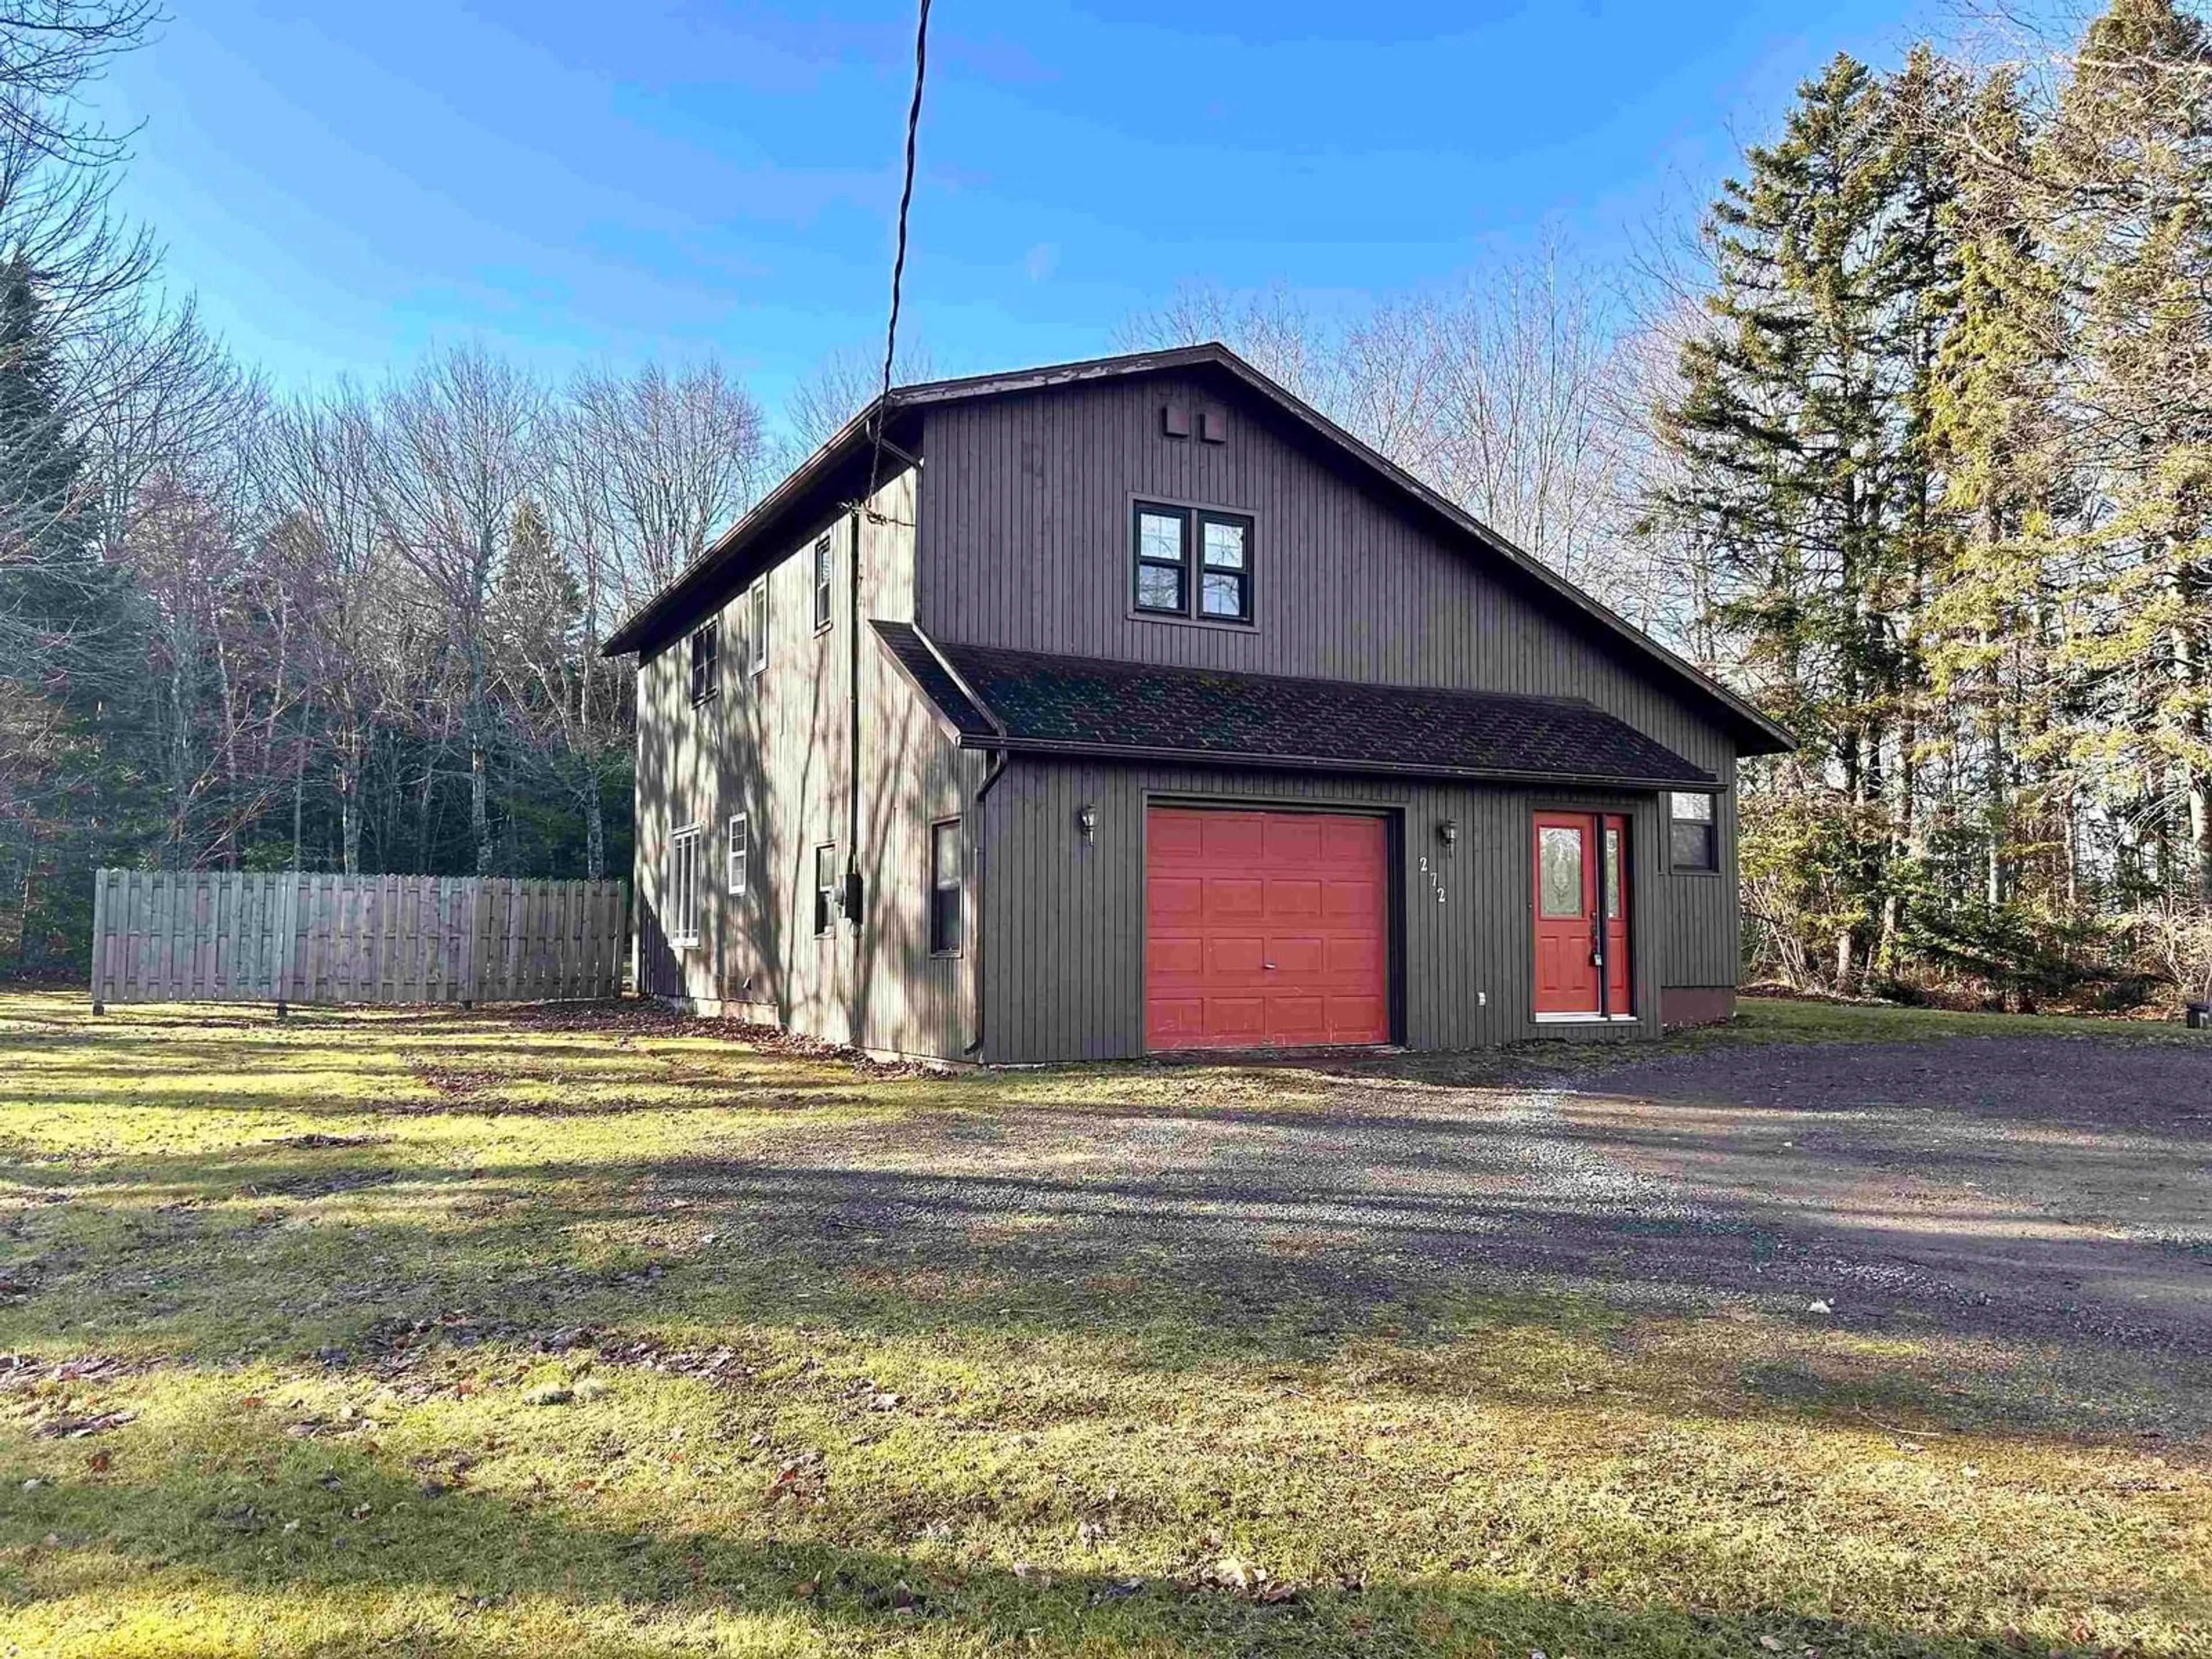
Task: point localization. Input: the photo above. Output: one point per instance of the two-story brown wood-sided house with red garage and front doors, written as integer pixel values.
(1134, 707)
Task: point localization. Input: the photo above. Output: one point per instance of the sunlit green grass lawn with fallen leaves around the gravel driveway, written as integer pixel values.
(377, 1333)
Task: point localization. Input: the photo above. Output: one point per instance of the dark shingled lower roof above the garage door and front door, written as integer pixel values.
(1085, 705)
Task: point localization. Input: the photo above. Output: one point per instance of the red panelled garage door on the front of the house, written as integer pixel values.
(1264, 930)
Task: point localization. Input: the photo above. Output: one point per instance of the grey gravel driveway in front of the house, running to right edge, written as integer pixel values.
(2047, 1191)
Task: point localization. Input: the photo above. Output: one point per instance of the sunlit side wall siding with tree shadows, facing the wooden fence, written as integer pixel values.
(778, 749)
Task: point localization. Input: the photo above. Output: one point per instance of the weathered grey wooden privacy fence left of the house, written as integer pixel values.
(291, 937)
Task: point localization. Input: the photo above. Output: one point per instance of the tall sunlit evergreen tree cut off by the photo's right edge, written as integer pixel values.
(2127, 178)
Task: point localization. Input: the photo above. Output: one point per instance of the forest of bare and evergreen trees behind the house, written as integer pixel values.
(1912, 444)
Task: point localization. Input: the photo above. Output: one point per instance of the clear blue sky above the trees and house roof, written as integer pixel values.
(346, 185)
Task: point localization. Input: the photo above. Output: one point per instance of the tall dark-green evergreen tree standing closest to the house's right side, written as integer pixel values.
(1806, 470)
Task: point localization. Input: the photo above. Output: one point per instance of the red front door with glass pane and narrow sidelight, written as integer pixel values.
(1583, 952)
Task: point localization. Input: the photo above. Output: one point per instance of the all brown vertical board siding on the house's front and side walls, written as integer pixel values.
(1016, 534)
